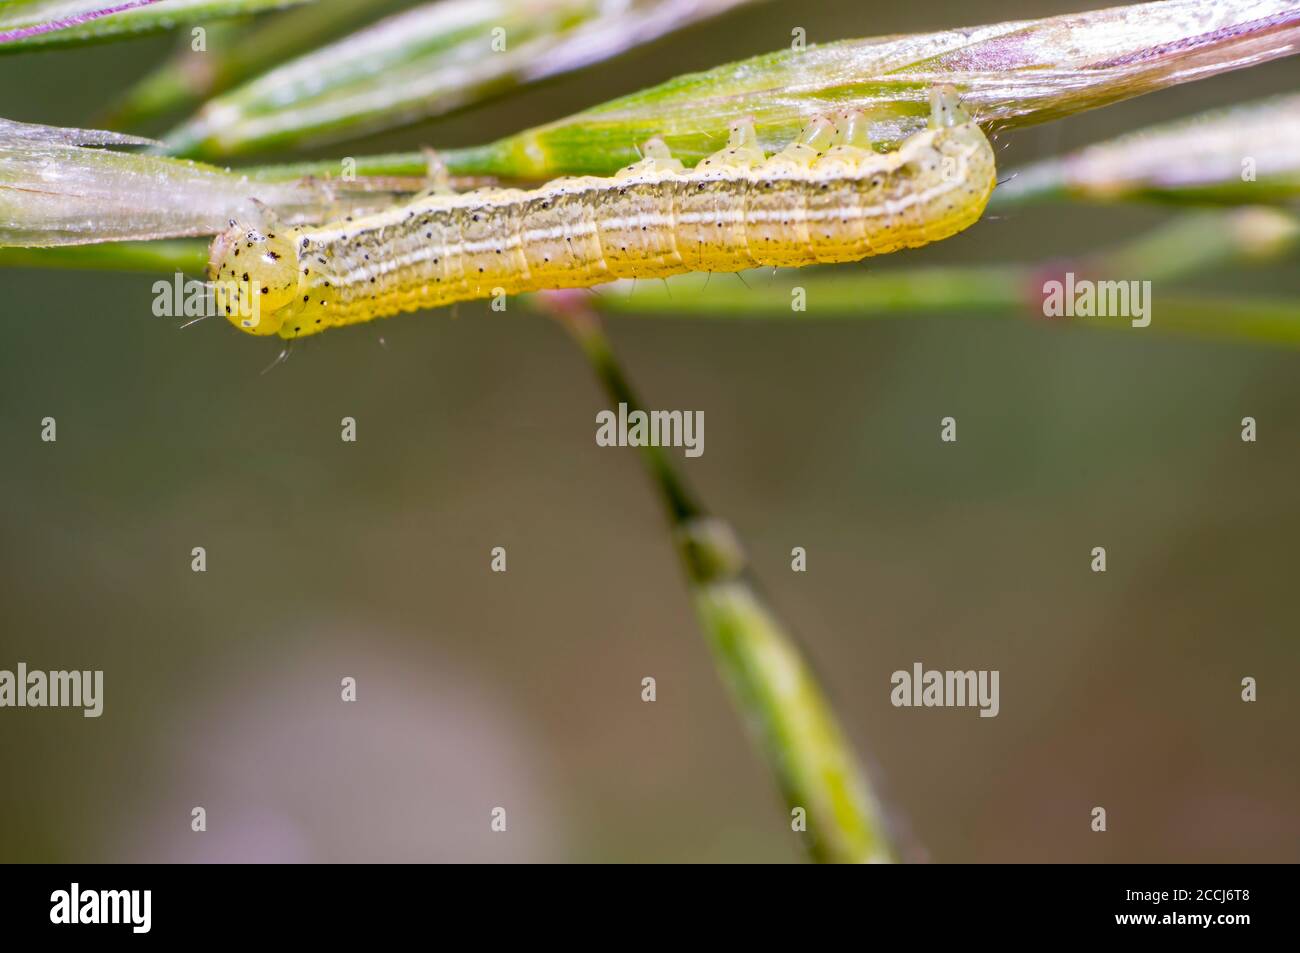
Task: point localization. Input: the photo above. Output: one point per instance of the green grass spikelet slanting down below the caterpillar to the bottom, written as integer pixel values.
(777, 692)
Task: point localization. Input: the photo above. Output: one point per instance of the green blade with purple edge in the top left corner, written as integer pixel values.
(41, 24)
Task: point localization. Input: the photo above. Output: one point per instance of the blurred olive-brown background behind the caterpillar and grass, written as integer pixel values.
(522, 690)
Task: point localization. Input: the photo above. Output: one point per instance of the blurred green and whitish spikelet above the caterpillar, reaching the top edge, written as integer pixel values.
(424, 63)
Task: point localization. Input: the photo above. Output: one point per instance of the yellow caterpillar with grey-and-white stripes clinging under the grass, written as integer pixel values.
(827, 197)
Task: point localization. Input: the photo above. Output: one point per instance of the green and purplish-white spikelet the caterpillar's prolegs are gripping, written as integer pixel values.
(1097, 58)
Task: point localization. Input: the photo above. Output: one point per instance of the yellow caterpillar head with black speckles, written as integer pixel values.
(254, 274)
